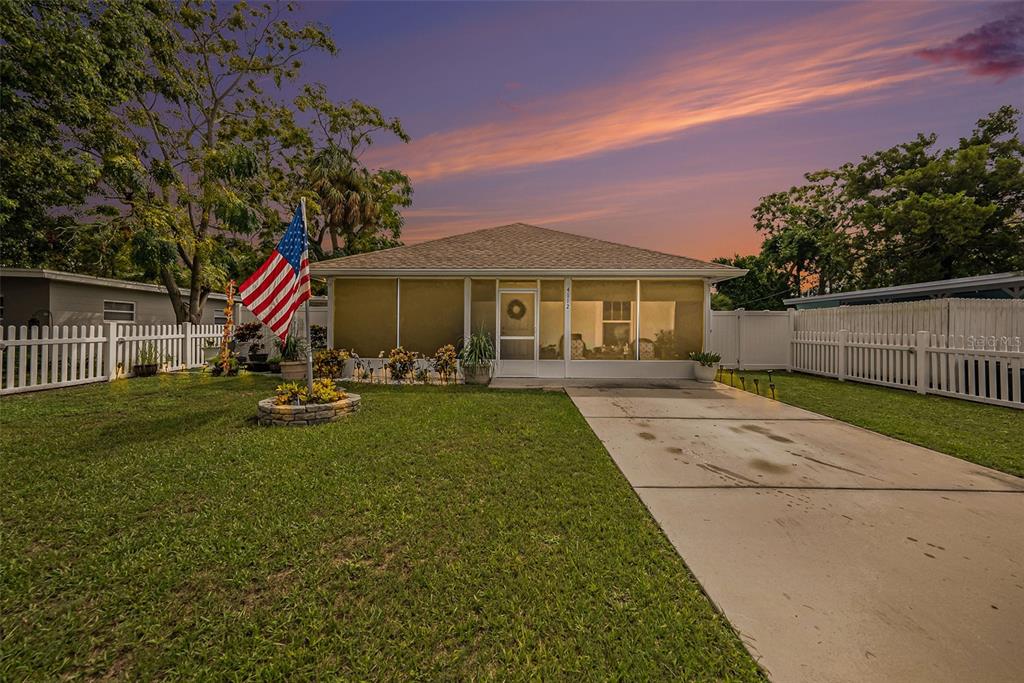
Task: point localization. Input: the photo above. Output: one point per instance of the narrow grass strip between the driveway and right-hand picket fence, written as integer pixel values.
(989, 436)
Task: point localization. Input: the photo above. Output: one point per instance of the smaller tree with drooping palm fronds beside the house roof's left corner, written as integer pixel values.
(354, 209)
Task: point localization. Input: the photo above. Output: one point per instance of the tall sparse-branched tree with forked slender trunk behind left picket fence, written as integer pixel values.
(212, 145)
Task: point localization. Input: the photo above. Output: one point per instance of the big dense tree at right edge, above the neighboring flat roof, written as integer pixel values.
(925, 215)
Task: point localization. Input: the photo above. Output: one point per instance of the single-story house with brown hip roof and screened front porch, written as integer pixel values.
(557, 305)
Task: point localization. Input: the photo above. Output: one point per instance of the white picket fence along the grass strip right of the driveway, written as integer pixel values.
(983, 369)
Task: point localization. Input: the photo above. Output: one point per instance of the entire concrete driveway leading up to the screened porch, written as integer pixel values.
(838, 553)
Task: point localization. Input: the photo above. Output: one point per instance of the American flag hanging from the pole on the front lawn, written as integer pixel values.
(282, 284)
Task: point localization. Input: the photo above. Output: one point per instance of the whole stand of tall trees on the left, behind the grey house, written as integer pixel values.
(154, 141)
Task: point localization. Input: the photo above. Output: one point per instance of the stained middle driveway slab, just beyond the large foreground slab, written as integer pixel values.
(783, 453)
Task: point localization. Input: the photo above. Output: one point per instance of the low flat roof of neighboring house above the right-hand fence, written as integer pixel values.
(997, 286)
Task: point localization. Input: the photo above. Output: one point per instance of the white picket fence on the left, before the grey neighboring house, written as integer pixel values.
(44, 358)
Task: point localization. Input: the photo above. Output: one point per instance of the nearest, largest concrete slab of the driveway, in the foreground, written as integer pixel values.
(861, 586)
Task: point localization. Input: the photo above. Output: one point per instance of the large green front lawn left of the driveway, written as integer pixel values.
(152, 531)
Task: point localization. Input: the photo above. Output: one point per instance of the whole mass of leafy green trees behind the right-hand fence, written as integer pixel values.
(907, 215)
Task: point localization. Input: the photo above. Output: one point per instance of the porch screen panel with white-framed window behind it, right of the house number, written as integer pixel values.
(604, 320)
